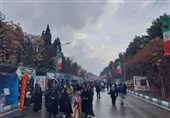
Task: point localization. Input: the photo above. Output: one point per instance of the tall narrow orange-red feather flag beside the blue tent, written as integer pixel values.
(23, 90)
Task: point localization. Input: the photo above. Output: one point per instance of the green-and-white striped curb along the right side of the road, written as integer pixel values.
(151, 99)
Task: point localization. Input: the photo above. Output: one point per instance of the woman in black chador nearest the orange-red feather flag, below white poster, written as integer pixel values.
(37, 98)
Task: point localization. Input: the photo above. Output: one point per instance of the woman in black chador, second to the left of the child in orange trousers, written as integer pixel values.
(53, 103)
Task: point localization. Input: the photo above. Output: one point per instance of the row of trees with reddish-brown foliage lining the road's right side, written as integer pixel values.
(145, 57)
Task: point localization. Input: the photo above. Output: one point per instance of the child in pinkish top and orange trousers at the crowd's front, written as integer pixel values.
(77, 100)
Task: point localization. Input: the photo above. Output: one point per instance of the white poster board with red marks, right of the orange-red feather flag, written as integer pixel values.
(41, 80)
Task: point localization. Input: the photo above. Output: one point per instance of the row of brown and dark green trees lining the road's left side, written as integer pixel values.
(35, 51)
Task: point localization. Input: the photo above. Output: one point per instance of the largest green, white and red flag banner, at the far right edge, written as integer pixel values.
(166, 35)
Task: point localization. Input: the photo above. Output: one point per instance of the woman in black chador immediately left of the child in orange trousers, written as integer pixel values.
(65, 103)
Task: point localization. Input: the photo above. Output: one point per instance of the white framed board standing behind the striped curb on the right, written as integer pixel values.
(141, 83)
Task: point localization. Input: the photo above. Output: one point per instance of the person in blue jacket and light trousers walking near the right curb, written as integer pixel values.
(121, 92)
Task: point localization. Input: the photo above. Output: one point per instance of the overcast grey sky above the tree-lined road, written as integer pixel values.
(97, 29)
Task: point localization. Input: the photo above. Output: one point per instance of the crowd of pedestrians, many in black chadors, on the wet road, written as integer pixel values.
(71, 100)
